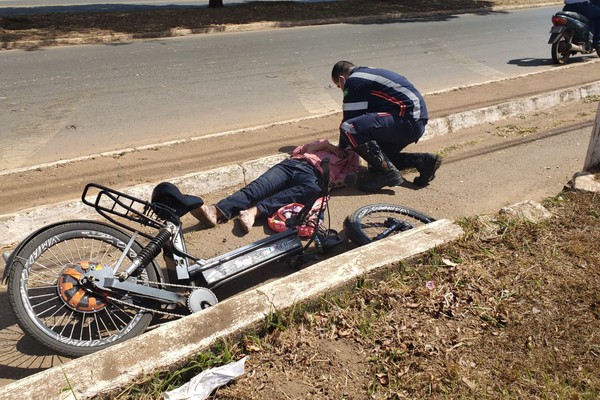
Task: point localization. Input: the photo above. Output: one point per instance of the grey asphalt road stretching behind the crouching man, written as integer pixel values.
(60, 103)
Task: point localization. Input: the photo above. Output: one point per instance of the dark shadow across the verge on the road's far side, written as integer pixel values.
(53, 22)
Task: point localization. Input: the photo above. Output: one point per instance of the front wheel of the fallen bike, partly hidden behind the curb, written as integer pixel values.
(365, 224)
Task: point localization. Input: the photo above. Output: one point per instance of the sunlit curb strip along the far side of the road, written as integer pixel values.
(178, 32)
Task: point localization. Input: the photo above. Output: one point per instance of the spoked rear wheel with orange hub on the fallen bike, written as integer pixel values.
(55, 308)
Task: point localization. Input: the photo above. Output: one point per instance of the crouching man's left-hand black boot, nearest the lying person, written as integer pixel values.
(385, 174)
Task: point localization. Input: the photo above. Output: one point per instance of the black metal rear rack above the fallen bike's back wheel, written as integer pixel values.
(112, 204)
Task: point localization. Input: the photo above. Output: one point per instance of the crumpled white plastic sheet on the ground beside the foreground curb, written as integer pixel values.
(203, 384)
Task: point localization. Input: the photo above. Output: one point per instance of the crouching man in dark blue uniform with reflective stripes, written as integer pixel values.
(383, 113)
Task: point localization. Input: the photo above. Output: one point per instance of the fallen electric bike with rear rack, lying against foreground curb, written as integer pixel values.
(79, 286)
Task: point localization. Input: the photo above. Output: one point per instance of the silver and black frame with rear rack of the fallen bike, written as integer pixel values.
(209, 273)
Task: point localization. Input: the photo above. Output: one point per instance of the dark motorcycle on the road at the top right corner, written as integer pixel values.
(570, 34)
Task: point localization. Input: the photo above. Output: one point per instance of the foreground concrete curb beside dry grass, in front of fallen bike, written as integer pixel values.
(177, 341)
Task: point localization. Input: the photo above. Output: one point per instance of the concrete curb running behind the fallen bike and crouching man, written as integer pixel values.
(15, 227)
